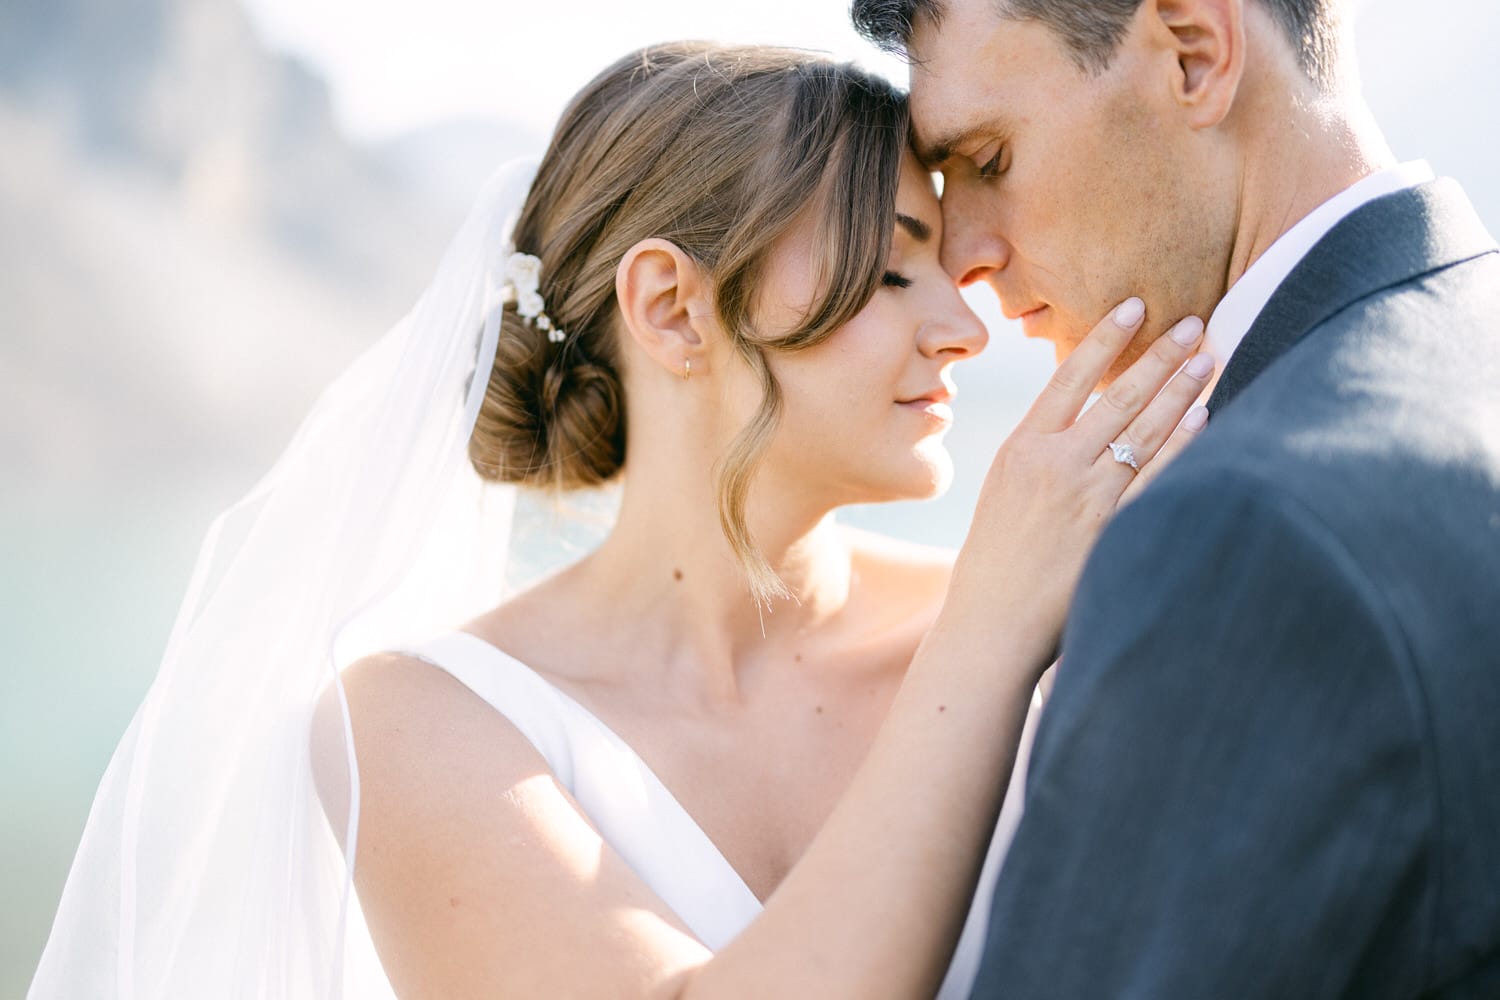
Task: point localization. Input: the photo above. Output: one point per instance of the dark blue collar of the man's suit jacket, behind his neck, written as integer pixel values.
(1384, 244)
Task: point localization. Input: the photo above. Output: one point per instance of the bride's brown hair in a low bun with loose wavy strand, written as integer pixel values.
(718, 151)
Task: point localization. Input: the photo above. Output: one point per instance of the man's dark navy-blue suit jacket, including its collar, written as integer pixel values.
(1271, 762)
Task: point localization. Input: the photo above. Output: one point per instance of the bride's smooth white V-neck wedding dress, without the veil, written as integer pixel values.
(641, 819)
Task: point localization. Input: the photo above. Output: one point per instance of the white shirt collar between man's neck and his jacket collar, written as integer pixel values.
(1237, 313)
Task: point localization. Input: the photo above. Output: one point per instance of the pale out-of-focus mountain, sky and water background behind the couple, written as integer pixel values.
(208, 208)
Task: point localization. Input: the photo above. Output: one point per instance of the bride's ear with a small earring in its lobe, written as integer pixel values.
(667, 305)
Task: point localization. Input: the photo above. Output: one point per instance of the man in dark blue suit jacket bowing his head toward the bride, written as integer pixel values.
(1271, 764)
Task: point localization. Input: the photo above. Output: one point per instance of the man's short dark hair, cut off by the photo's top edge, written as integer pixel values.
(1094, 29)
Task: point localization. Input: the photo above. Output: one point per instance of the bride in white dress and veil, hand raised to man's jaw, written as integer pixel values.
(730, 752)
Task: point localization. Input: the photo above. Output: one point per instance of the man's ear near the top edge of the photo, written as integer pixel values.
(1208, 40)
